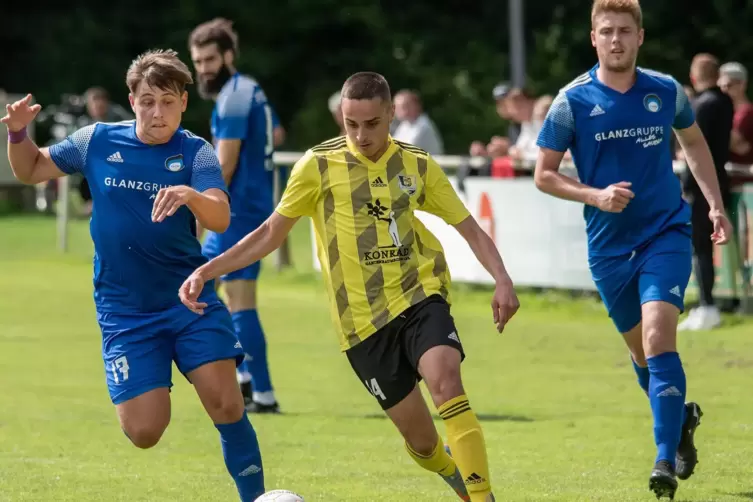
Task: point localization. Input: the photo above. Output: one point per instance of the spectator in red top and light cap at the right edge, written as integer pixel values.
(733, 80)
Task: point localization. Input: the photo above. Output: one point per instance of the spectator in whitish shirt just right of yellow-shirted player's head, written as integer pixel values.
(415, 126)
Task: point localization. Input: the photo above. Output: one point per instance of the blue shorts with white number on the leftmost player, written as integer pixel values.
(139, 349)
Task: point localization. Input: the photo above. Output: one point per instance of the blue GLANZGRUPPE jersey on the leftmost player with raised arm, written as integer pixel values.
(139, 265)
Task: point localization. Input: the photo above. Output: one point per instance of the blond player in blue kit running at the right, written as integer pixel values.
(617, 121)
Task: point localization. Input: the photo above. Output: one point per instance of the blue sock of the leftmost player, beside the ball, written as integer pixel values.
(242, 457)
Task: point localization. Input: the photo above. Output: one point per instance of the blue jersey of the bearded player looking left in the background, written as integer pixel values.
(242, 112)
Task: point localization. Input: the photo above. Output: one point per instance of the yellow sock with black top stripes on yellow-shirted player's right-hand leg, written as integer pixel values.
(467, 445)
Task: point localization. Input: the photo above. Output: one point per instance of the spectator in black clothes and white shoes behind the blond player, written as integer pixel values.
(714, 113)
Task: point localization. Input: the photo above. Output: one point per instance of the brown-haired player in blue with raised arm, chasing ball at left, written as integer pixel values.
(150, 181)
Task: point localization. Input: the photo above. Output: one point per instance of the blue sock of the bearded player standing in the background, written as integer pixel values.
(251, 336)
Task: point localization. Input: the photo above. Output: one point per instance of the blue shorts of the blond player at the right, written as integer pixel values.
(658, 271)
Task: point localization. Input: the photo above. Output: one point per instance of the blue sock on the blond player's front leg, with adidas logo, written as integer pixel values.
(667, 396)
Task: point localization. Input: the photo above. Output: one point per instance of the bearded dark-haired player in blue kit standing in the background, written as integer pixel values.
(243, 125)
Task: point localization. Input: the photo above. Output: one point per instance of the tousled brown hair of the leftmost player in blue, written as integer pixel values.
(159, 68)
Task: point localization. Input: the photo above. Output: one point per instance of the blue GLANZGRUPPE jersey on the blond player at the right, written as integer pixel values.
(615, 137)
